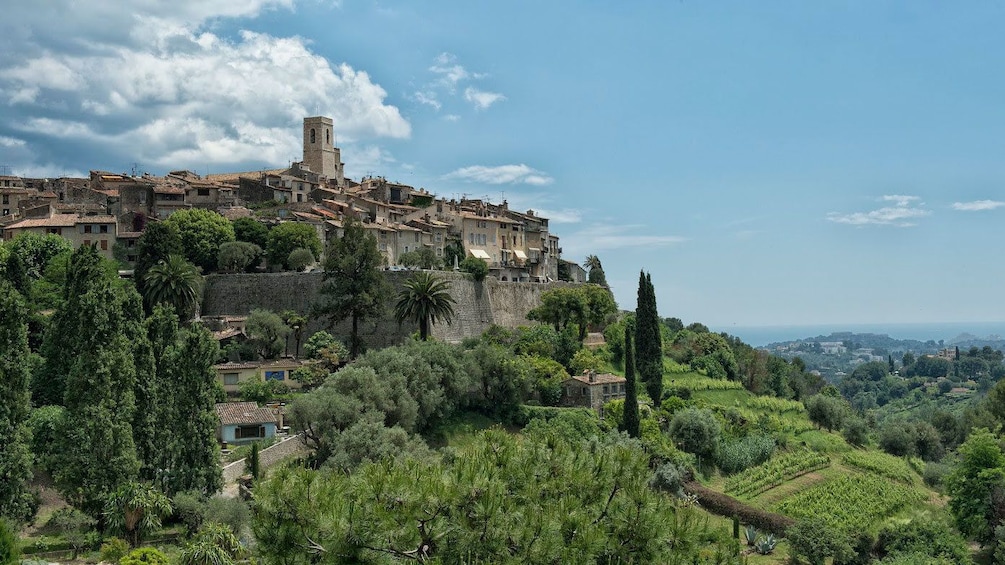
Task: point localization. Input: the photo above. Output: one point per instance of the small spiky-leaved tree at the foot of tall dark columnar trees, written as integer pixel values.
(136, 510)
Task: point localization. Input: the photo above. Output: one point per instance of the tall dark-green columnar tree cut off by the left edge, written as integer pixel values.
(17, 499)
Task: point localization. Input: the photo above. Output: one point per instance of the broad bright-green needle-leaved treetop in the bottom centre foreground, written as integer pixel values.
(551, 501)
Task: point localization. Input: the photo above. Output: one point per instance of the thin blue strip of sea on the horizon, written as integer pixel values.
(762, 336)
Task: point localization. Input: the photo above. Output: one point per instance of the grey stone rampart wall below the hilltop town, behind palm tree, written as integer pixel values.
(479, 305)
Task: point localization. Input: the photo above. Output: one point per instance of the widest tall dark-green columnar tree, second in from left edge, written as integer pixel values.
(96, 451)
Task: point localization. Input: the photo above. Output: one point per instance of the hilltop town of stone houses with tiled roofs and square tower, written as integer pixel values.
(111, 211)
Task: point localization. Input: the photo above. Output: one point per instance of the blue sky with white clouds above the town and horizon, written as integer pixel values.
(767, 163)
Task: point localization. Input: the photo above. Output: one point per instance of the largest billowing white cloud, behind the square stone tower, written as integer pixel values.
(166, 90)
